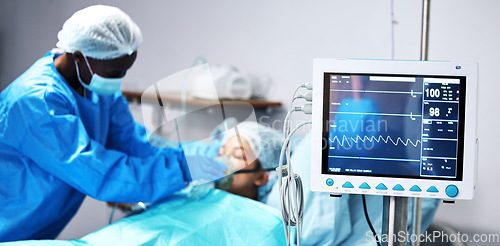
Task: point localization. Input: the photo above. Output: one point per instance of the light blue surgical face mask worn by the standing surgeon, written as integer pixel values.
(100, 85)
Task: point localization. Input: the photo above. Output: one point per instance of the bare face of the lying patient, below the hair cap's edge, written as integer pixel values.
(243, 158)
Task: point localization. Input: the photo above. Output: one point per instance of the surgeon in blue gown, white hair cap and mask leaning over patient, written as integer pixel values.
(66, 132)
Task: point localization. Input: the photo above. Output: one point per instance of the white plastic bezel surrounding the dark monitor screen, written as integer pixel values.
(361, 66)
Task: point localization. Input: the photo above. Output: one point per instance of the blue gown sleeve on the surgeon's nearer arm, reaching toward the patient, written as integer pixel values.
(56, 140)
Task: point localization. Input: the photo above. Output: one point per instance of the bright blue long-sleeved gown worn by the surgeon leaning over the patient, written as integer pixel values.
(56, 147)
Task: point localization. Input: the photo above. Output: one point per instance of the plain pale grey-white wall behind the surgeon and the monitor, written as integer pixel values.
(281, 38)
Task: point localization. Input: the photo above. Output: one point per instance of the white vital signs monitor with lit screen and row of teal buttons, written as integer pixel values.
(394, 128)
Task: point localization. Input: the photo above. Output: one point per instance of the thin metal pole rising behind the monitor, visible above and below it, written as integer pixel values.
(424, 55)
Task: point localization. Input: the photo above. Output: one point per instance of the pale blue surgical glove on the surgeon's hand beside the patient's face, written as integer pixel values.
(202, 167)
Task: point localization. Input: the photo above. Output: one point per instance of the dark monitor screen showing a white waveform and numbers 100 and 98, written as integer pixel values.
(393, 125)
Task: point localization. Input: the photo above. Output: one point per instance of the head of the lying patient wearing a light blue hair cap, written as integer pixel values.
(253, 150)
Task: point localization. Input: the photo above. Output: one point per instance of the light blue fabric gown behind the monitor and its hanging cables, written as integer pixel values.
(339, 221)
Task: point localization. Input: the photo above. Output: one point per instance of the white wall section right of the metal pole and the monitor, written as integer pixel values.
(467, 31)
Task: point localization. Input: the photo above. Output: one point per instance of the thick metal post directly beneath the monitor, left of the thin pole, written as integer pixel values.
(395, 221)
